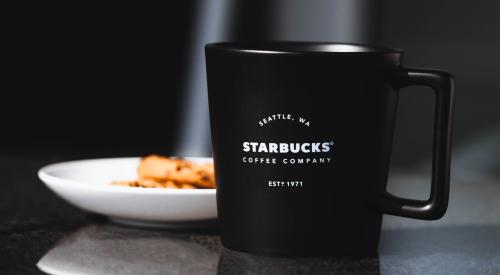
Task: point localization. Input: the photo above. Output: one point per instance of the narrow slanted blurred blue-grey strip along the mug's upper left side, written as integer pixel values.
(212, 22)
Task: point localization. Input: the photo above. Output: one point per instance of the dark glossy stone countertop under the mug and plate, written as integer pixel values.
(35, 225)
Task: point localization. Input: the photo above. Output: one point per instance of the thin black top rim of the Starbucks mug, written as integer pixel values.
(302, 47)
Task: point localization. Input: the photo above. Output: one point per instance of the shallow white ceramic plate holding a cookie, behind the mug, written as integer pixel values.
(86, 184)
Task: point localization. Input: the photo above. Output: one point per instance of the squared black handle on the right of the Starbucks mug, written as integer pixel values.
(434, 208)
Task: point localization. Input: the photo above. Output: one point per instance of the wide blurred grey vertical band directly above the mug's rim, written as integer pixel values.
(324, 20)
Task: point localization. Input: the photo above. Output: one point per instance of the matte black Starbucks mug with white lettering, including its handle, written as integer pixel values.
(302, 136)
